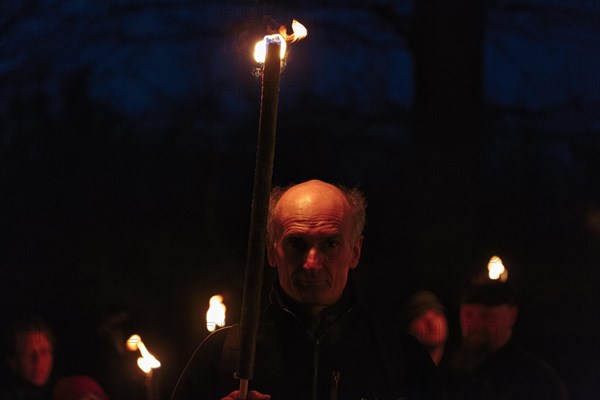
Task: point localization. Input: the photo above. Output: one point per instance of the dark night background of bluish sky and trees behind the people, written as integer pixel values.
(127, 145)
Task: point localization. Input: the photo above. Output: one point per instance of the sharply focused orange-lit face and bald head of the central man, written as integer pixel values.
(314, 248)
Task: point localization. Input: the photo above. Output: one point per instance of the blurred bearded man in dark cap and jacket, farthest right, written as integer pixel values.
(490, 364)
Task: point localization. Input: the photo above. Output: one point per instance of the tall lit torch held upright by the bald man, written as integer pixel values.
(270, 51)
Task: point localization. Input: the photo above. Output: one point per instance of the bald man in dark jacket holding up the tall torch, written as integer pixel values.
(314, 341)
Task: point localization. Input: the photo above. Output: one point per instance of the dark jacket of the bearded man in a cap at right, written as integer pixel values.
(510, 373)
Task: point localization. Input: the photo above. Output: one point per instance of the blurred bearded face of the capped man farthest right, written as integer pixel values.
(487, 327)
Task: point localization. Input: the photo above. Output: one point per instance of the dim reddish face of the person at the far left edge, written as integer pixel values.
(33, 357)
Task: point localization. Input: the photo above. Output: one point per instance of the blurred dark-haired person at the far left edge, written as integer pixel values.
(29, 347)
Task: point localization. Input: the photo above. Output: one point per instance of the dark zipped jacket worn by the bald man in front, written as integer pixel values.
(342, 354)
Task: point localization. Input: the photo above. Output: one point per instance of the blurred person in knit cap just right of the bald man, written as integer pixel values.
(425, 319)
